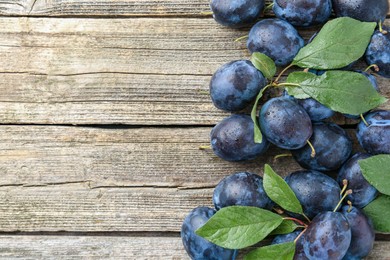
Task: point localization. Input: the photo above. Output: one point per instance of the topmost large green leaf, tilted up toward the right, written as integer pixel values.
(340, 42)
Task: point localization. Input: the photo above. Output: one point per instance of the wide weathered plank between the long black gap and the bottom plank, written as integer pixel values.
(91, 179)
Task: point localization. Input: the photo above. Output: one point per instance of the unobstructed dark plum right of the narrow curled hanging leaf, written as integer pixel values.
(285, 123)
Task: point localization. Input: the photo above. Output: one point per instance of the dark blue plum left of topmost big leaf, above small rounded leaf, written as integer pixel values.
(275, 38)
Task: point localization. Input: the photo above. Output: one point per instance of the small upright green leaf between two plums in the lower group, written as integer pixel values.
(279, 191)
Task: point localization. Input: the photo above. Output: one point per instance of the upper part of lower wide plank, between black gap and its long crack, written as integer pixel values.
(135, 157)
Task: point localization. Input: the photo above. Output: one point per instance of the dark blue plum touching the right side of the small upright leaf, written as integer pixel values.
(316, 191)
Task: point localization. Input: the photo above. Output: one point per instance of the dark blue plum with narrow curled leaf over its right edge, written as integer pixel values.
(232, 139)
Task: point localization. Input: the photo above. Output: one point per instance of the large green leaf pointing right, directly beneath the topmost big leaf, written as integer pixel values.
(342, 91)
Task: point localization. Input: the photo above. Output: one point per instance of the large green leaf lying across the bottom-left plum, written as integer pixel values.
(237, 227)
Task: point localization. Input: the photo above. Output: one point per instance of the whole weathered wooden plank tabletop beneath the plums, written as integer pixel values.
(102, 113)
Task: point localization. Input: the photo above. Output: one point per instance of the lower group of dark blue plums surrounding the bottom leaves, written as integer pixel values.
(344, 233)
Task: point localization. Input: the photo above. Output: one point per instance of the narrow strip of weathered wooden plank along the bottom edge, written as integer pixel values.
(111, 247)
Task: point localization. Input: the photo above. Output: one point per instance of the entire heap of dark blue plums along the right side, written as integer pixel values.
(301, 126)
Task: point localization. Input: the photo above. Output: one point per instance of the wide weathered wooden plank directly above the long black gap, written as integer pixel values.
(114, 71)
